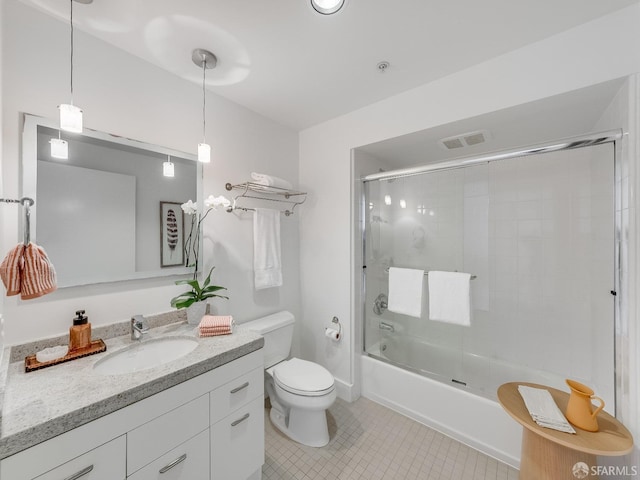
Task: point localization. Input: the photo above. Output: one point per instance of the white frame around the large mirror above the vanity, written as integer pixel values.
(29, 175)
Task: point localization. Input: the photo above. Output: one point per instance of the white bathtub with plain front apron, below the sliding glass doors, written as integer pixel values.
(429, 384)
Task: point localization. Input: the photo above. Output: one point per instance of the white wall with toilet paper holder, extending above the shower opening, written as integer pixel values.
(592, 53)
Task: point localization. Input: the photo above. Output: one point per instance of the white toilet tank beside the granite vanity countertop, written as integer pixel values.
(277, 330)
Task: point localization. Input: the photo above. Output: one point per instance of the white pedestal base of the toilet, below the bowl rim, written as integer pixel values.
(308, 427)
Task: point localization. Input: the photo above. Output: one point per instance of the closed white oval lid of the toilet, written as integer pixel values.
(301, 377)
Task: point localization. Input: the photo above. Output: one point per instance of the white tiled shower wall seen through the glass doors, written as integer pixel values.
(538, 234)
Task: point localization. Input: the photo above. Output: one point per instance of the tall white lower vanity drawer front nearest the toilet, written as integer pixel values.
(237, 443)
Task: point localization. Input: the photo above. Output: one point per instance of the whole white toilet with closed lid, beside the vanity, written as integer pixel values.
(300, 391)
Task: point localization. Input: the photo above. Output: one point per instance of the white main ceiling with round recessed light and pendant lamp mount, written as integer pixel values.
(281, 59)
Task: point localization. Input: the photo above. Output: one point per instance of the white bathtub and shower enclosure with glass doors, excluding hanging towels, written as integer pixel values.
(536, 229)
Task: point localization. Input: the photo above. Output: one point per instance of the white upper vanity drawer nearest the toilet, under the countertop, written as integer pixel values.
(236, 393)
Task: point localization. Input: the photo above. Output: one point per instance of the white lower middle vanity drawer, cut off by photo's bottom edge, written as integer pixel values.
(189, 461)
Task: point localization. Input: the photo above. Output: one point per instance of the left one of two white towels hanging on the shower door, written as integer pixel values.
(405, 291)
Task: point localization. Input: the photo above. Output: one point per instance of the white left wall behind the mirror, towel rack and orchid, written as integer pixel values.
(122, 95)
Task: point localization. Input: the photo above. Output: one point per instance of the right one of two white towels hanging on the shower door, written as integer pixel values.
(449, 299)
